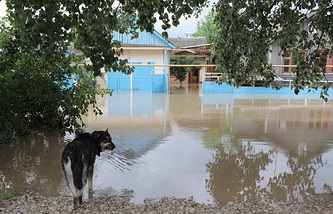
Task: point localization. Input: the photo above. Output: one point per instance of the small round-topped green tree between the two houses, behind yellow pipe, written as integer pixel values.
(181, 72)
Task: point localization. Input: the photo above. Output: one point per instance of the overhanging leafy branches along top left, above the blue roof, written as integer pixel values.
(53, 25)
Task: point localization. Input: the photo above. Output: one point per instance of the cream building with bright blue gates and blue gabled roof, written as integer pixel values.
(150, 52)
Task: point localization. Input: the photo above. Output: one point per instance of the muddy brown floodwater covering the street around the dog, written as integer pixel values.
(214, 147)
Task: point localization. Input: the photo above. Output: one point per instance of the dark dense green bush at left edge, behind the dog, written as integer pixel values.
(35, 90)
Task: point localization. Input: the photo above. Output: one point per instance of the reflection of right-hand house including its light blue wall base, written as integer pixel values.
(279, 114)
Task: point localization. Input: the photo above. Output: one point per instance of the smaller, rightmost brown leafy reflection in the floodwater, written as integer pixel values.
(299, 182)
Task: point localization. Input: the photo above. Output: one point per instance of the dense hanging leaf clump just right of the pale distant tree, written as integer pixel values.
(242, 43)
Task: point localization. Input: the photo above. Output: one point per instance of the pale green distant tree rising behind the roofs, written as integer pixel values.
(207, 27)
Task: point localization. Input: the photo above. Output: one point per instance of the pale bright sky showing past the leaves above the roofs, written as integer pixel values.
(189, 25)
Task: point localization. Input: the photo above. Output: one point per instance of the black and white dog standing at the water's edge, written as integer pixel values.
(78, 160)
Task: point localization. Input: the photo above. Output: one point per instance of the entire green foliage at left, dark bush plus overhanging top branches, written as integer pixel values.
(34, 66)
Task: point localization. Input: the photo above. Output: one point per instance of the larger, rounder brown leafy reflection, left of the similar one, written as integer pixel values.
(234, 174)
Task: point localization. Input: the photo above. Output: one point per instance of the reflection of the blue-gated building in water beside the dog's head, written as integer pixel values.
(137, 120)
